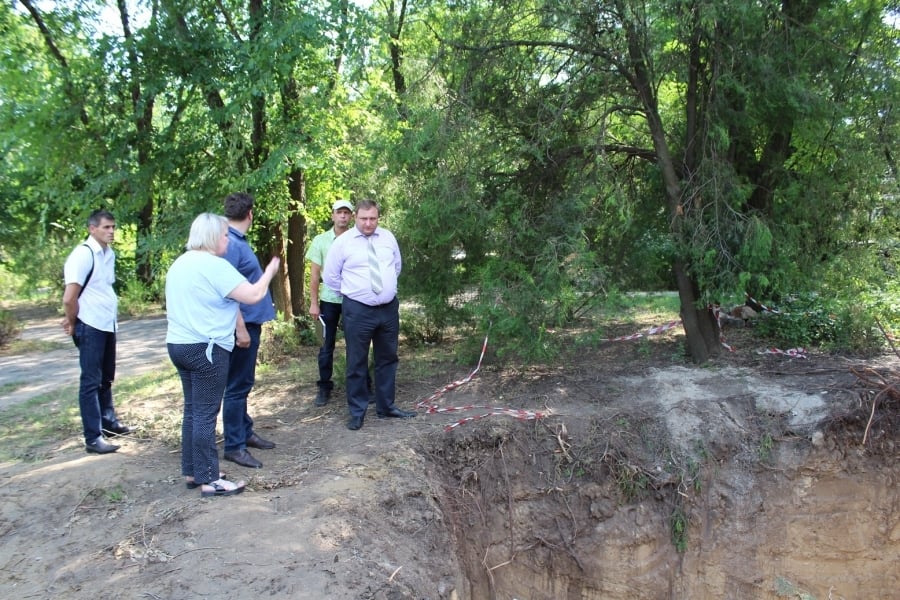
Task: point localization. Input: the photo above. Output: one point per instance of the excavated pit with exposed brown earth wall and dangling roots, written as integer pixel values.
(610, 507)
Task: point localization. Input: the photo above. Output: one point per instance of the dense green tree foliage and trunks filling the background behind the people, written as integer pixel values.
(533, 156)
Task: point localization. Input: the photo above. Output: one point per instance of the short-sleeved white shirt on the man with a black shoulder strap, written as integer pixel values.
(98, 305)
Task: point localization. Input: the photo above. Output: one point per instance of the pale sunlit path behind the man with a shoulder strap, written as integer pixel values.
(140, 349)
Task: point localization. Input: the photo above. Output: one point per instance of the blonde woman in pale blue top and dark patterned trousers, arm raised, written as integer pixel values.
(203, 292)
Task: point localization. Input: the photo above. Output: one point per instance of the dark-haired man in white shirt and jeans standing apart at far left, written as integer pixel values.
(91, 307)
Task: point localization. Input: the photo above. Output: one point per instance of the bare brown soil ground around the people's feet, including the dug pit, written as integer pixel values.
(643, 477)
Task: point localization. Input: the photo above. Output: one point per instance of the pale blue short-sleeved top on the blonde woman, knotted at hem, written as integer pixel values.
(198, 309)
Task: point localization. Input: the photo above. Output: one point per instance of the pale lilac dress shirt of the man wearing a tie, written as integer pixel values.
(347, 266)
